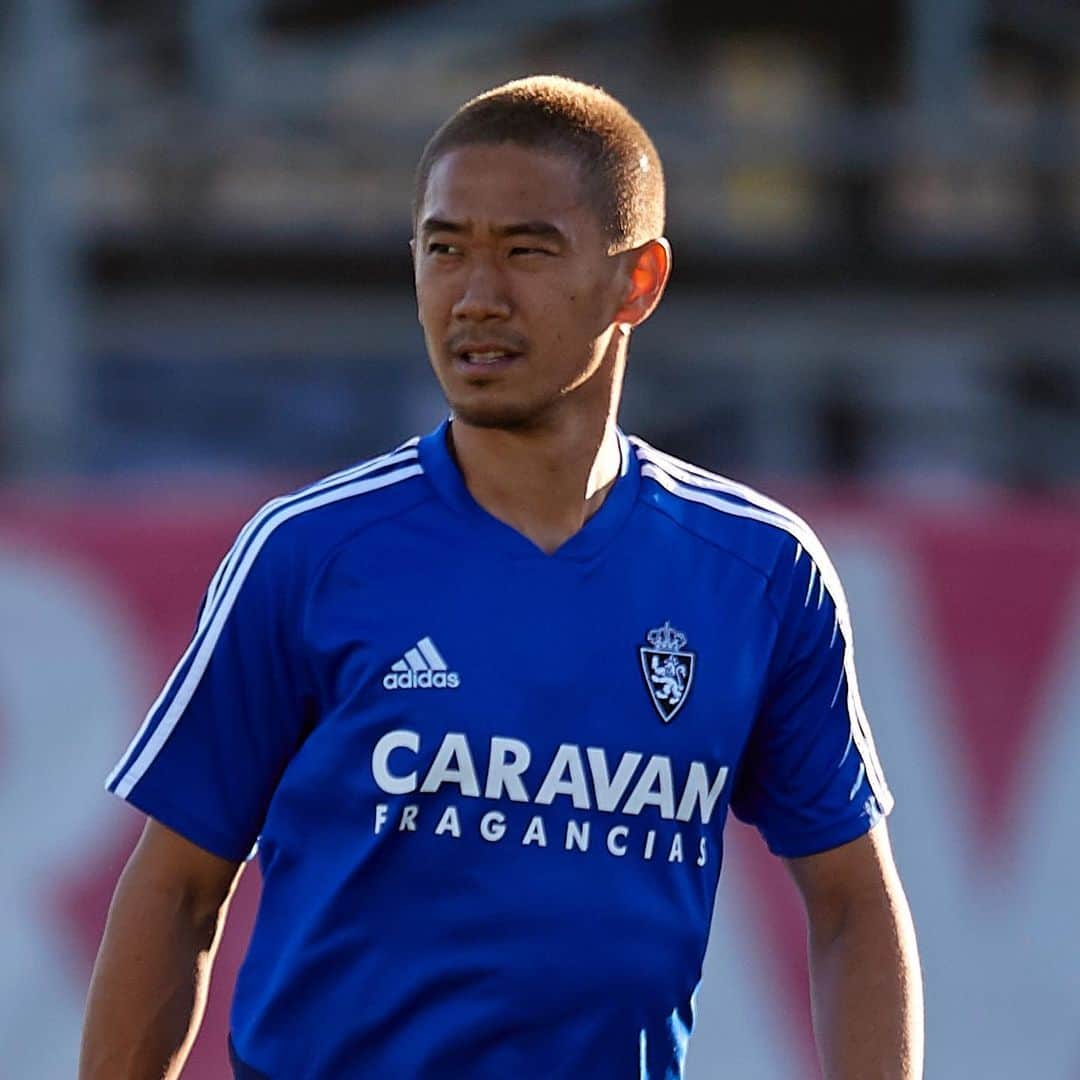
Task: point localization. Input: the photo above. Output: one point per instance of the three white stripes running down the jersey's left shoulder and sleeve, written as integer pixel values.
(214, 617)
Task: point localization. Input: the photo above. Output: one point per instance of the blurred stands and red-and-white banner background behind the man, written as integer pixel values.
(875, 315)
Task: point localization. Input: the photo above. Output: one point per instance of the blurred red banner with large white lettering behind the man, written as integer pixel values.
(968, 644)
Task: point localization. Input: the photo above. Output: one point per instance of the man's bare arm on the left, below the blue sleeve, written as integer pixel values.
(150, 984)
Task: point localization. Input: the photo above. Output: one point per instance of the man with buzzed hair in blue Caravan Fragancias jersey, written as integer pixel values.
(484, 703)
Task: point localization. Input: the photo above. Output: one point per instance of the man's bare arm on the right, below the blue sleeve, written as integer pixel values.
(867, 988)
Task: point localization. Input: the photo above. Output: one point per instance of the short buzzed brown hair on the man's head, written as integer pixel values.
(619, 165)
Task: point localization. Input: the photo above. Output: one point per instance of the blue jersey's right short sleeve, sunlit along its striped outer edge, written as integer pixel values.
(811, 779)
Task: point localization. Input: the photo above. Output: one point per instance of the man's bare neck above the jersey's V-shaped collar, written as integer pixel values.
(545, 482)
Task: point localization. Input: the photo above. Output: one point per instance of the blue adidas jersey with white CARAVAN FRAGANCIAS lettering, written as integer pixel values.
(489, 785)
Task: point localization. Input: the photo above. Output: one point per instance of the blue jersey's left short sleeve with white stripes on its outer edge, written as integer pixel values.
(213, 747)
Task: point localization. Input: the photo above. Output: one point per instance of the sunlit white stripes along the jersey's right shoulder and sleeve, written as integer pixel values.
(710, 491)
